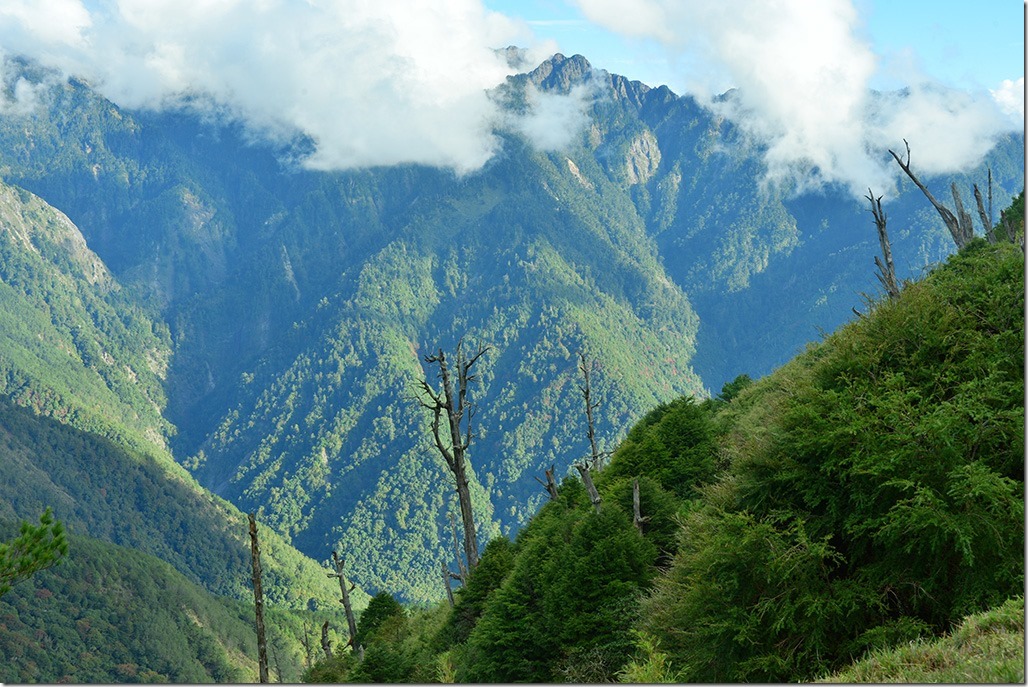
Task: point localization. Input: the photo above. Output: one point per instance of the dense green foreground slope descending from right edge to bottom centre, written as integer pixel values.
(868, 494)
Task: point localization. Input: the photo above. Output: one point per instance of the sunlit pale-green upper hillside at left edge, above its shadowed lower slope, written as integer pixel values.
(76, 347)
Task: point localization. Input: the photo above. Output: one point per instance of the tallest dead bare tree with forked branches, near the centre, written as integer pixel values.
(452, 403)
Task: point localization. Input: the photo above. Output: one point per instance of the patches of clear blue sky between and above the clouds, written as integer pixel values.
(962, 45)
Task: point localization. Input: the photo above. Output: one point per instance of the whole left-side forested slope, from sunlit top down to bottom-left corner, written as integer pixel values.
(83, 432)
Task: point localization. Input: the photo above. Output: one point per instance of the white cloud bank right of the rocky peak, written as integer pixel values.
(803, 77)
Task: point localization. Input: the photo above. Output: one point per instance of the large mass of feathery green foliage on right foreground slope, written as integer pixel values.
(875, 490)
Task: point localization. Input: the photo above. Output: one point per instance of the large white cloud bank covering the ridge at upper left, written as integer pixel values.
(373, 84)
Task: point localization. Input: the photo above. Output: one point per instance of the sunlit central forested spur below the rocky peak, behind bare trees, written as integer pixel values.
(342, 414)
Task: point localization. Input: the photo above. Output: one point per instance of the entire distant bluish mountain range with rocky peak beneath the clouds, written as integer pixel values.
(293, 308)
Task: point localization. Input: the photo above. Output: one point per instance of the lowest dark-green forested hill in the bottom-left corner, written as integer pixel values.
(109, 614)
